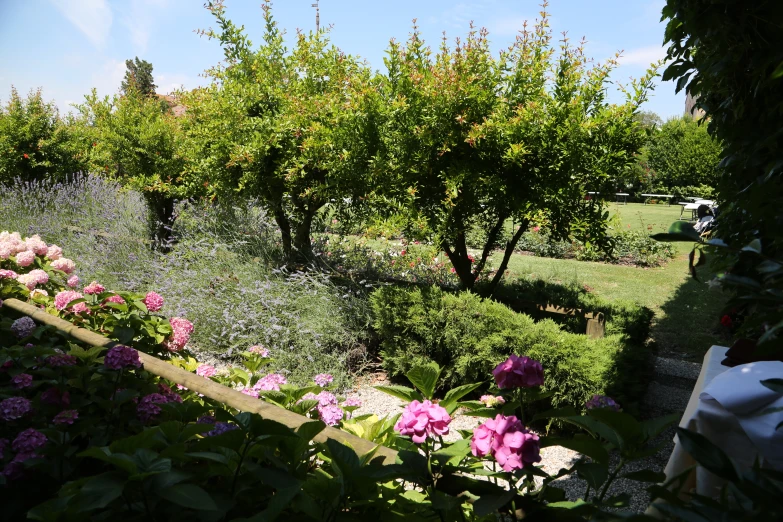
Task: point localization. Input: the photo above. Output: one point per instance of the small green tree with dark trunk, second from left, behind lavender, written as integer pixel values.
(137, 144)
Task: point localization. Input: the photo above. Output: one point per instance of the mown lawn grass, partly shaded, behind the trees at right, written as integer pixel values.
(687, 312)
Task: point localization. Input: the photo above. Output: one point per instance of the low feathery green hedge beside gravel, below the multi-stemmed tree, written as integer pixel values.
(468, 336)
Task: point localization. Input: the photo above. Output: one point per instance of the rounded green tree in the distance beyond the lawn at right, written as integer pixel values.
(682, 153)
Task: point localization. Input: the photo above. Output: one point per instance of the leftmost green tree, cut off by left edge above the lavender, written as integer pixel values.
(35, 141)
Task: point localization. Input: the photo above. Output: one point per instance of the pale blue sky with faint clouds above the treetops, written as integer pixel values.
(68, 47)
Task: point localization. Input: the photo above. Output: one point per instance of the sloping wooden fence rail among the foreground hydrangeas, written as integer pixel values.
(207, 387)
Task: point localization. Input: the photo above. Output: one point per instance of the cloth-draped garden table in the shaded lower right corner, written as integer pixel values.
(724, 408)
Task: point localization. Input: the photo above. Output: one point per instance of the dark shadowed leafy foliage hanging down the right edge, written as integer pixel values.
(729, 56)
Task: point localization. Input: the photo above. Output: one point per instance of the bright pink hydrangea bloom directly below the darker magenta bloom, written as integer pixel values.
(506, 439)
